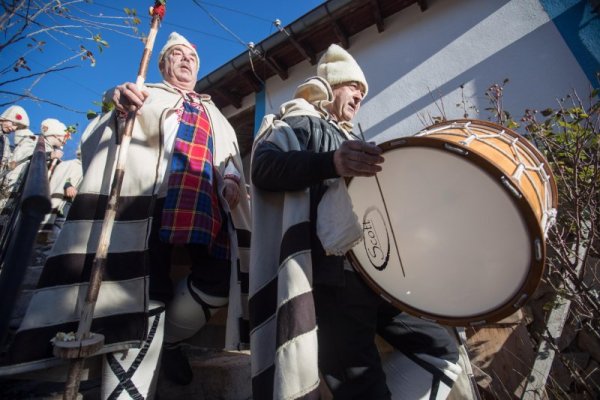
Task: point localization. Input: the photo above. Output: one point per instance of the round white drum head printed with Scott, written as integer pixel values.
(464, 249)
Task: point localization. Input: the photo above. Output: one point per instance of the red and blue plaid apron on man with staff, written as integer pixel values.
(191, 213)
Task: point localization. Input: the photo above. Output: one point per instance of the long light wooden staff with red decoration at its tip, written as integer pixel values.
(87, 344)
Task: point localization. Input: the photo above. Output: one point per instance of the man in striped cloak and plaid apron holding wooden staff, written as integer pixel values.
(183, 190)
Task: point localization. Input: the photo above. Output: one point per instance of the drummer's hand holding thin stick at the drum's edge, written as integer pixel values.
(357, 158)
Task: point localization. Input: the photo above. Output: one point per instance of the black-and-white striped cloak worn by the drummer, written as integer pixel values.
(283, 335)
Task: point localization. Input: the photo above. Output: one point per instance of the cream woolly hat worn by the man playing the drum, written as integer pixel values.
(338, 66)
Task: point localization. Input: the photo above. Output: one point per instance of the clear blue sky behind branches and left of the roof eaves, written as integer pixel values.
(77, 88)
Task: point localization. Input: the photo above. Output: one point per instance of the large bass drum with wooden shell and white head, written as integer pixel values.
(454, 226)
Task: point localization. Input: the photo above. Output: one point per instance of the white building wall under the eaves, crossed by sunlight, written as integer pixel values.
(415, 68)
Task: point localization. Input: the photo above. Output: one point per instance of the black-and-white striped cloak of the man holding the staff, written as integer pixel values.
(122, 306)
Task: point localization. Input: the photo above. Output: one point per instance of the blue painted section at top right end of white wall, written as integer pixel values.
(579, 25)
